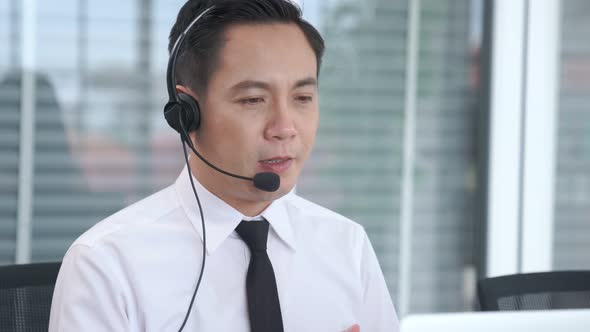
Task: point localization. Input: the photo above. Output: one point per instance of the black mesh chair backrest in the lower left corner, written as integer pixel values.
(25, 296)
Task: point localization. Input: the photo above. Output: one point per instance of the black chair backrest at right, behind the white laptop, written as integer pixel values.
(535, 291)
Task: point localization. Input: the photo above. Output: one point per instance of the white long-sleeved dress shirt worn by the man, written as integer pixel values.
(137, 269)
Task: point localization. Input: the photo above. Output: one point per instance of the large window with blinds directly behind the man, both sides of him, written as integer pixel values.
(100, 142)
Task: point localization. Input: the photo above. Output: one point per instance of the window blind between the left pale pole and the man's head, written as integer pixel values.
(101, 142)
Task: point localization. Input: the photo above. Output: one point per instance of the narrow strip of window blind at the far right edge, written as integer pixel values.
(572, 180)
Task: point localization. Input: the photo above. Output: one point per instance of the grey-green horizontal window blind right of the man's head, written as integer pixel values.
(356, 166)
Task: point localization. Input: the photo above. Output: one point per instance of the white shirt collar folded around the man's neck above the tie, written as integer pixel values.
(221, 219)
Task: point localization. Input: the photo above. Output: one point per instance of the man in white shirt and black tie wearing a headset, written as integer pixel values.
(252, 66)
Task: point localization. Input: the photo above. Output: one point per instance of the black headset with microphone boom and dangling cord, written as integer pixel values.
(183, 114)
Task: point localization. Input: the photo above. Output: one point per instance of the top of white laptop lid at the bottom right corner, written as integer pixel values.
(571, 320)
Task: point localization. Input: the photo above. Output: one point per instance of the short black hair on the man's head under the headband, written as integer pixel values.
(198, 58)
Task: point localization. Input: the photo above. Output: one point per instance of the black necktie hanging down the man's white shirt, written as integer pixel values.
(261, 287)
